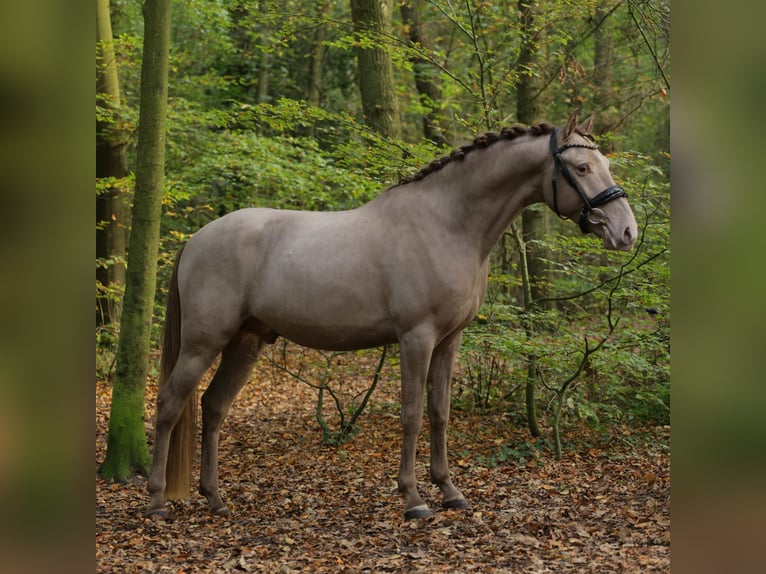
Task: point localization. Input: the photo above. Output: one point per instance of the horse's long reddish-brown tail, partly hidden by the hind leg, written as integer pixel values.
(184, 436)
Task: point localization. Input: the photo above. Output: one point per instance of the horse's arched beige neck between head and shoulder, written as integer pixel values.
(491, 187)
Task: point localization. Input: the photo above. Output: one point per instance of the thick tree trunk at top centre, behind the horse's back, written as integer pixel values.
(375, 69)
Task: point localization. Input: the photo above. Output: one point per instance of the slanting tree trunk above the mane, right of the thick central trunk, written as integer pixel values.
(425, 77)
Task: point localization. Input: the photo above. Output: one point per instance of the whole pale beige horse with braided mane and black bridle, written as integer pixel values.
(410, 266)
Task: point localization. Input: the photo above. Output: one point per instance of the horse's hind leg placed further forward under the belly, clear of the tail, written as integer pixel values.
(237, 362)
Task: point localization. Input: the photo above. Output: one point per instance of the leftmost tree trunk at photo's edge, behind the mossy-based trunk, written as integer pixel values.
(110, 163)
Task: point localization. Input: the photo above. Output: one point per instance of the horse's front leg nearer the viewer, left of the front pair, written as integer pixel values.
(415, 351)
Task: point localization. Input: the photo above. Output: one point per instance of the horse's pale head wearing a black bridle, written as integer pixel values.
(582, 188)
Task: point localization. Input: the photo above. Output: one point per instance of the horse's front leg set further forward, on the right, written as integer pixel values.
(439, 375)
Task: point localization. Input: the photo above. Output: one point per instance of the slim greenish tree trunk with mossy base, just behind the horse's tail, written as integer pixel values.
(126, 441)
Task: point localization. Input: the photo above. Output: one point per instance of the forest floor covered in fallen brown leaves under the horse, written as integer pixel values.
(302, 506)
